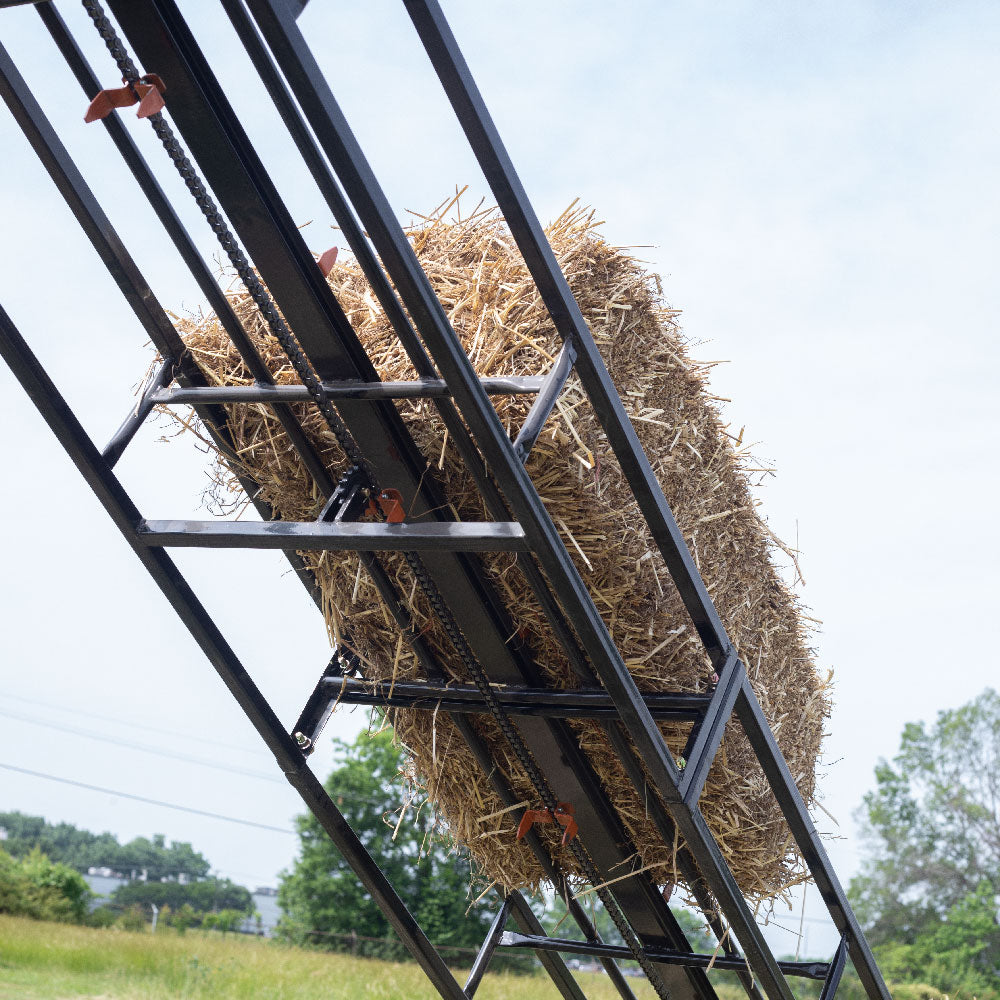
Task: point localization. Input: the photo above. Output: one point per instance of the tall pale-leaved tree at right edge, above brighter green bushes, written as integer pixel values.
(932, 824)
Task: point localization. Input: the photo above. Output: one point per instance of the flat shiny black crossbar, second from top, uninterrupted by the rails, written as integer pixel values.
(338, 536)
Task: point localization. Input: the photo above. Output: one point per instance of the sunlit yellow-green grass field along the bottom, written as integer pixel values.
(44, 961)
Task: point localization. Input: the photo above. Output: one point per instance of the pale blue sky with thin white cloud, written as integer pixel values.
(816, 183)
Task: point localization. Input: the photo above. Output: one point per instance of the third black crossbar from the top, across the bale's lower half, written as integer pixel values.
(582, 703)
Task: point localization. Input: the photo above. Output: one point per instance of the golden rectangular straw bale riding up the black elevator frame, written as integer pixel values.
(481, 279)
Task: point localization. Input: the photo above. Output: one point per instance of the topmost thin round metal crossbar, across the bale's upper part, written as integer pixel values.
(425, 388)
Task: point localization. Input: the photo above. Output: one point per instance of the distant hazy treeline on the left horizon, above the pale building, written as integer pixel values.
(82, 850)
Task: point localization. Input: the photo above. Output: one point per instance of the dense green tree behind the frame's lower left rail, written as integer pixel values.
(321, 896)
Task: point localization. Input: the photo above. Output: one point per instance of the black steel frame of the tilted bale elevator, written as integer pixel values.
(268, 30)
